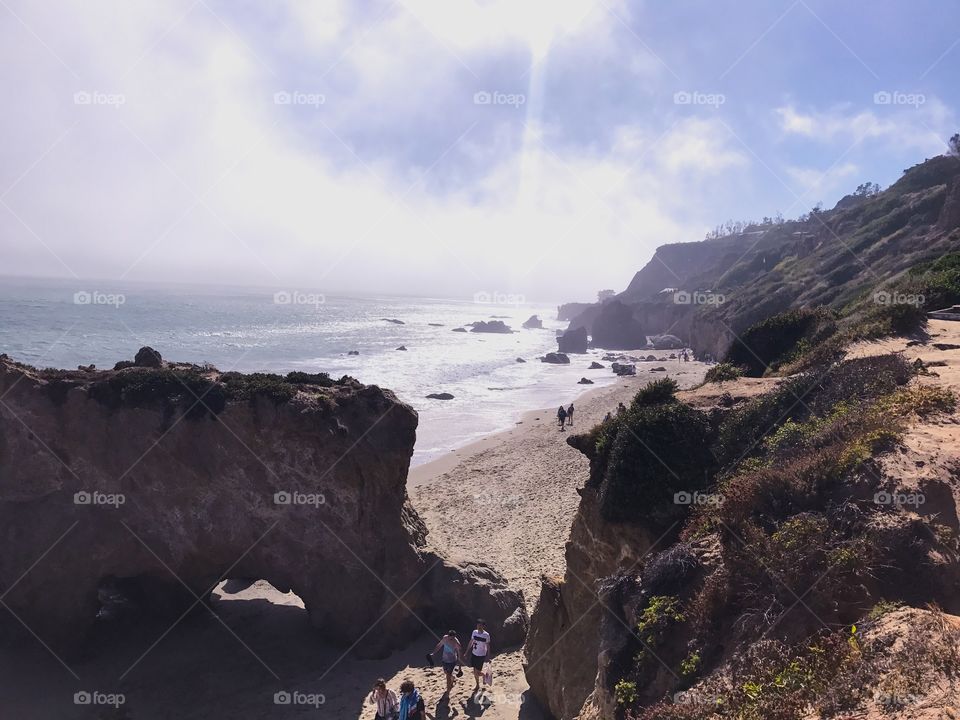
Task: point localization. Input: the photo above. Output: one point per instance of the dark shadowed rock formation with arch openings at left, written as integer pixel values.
(165, 481)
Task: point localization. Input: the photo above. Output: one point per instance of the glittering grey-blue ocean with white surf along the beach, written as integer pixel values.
(66, 323)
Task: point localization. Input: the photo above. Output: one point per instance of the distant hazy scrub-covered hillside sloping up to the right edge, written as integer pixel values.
(827, 258)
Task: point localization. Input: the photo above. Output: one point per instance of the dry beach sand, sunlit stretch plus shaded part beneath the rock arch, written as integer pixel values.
(507, 500)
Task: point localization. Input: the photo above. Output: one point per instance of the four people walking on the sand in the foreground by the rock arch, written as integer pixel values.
(409, 705)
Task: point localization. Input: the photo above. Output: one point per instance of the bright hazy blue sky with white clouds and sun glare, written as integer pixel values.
(538, 148)
